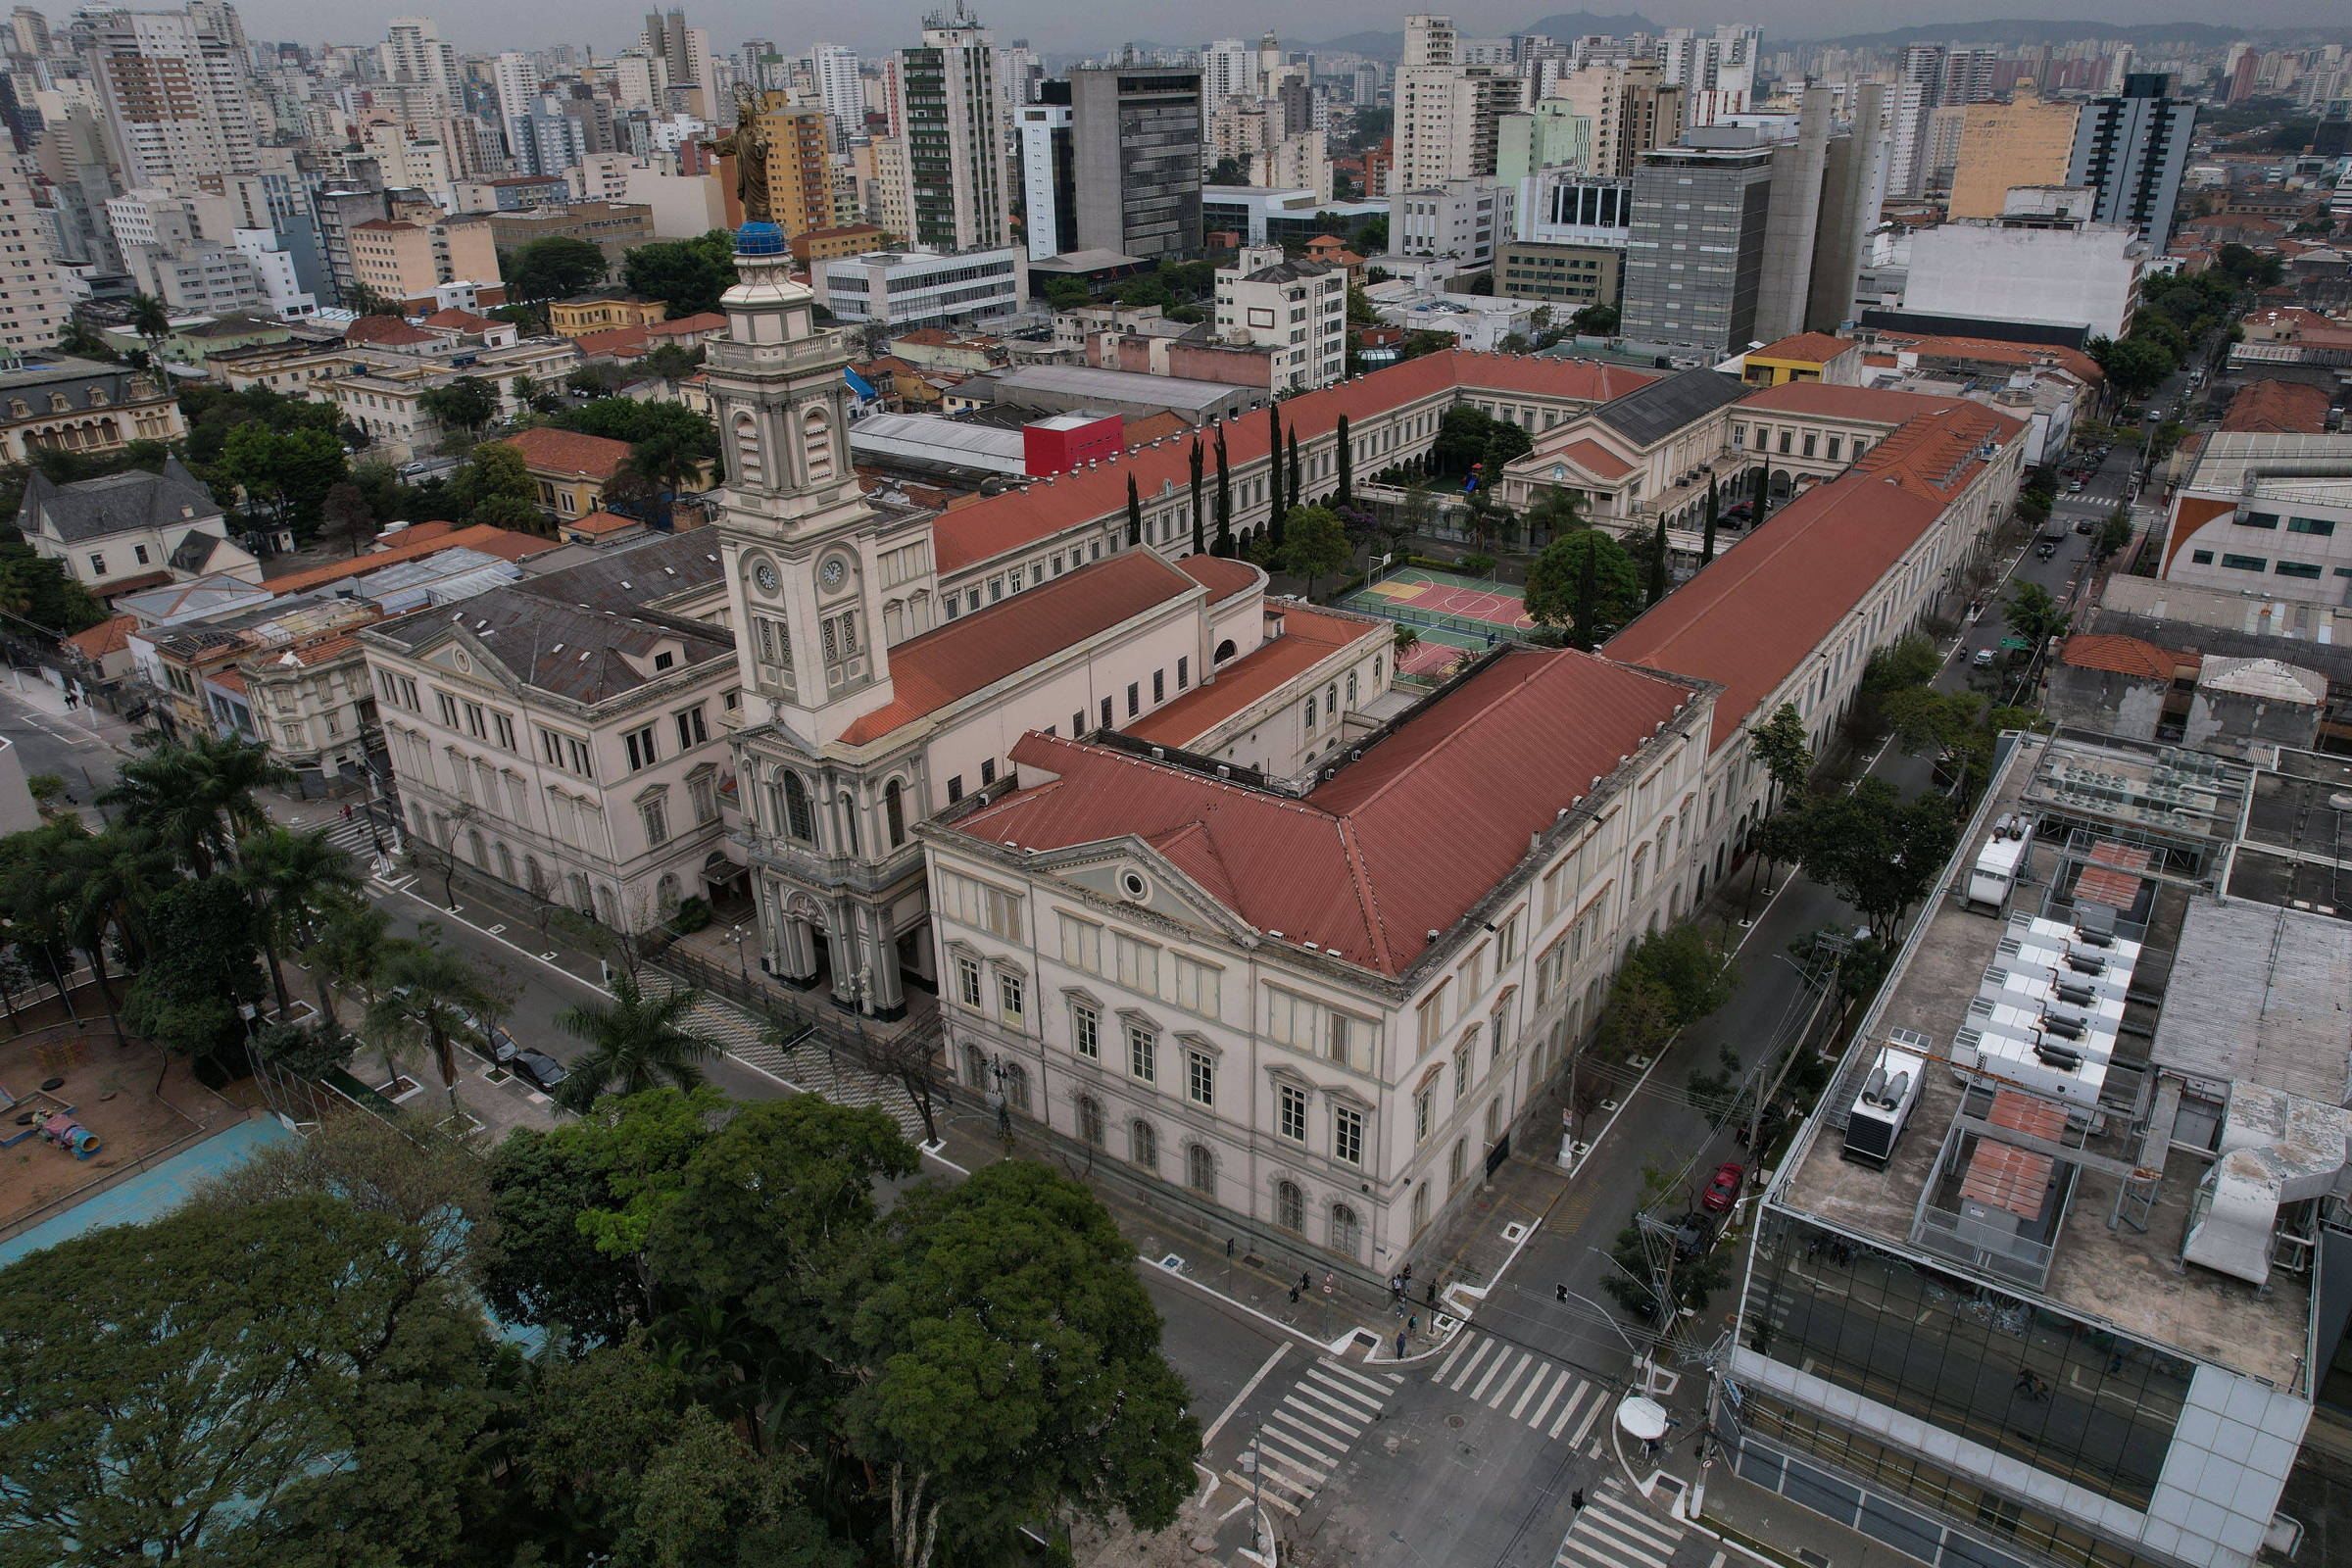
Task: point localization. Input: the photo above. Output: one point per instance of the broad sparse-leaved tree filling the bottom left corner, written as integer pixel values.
(241, 1383)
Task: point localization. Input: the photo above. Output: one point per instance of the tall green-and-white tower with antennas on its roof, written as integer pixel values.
(954, 142)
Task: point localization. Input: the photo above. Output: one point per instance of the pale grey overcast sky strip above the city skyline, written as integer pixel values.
(876, 27)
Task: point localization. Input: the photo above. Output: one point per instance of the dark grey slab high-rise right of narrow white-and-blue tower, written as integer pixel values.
(1135, 138)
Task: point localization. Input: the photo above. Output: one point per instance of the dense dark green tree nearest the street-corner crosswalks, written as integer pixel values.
(1010, 1369)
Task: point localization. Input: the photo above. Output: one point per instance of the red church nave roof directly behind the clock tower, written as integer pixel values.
(956, 659)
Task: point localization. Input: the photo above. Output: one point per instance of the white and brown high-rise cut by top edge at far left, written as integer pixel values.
(175, 93)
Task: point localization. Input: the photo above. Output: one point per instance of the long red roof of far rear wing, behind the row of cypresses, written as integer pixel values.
(1024, 516)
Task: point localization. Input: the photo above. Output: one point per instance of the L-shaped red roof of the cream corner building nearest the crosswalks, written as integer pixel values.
(1356, 866)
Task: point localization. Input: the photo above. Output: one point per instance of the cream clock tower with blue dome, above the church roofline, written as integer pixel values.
(799, 540)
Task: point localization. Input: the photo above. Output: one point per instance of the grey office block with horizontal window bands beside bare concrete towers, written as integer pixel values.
(1695, 281)
